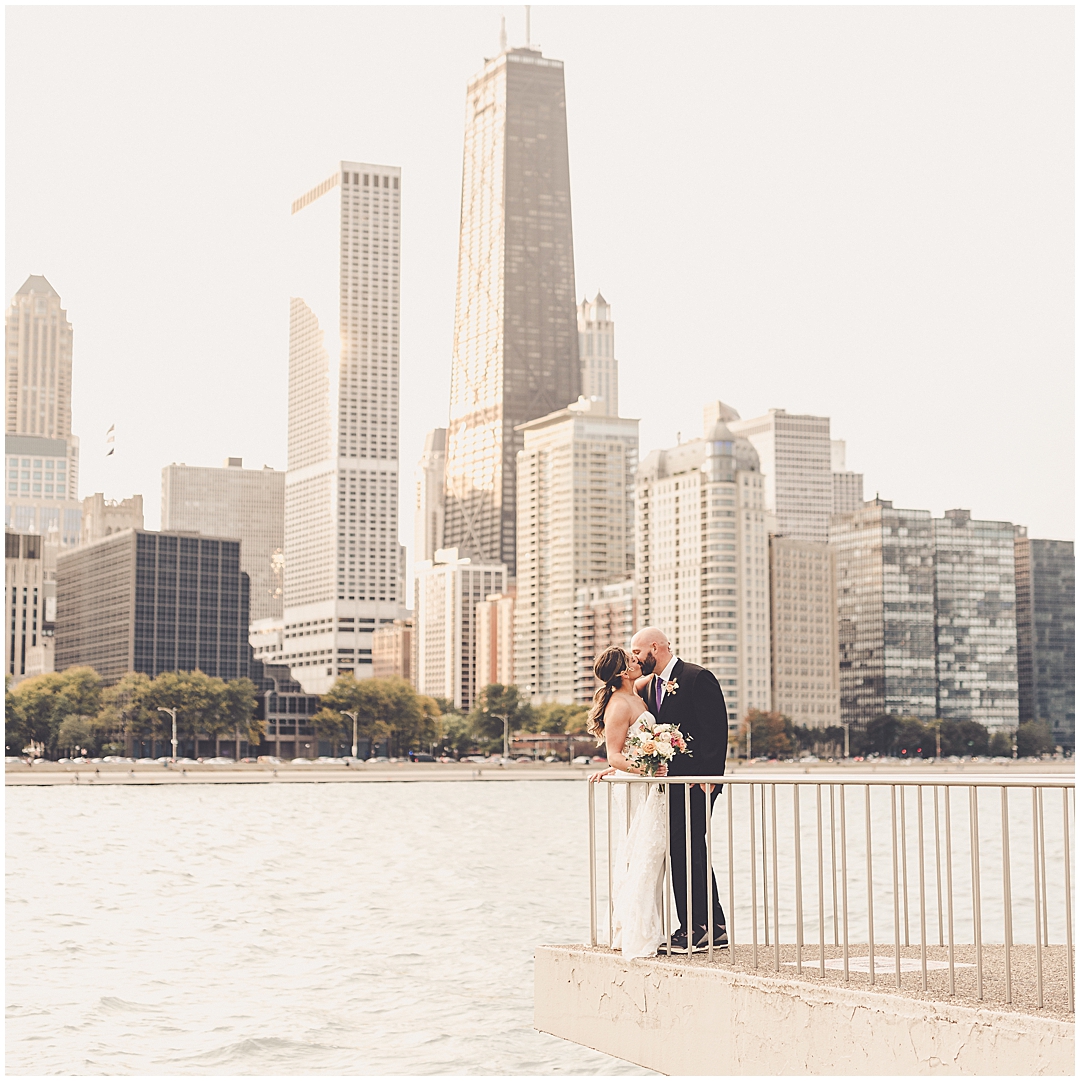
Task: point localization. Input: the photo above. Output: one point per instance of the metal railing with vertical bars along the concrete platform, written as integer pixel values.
(945, 840)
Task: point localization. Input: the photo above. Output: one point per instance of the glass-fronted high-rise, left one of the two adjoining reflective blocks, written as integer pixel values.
(885, 560)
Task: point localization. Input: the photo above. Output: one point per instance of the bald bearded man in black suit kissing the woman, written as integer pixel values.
(690, 697)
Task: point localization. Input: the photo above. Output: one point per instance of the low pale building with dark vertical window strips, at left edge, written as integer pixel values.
(30, 605)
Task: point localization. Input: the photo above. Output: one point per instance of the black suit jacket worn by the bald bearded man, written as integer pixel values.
(699, 709)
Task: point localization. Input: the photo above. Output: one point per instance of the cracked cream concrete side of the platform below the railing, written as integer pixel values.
(685, 1020)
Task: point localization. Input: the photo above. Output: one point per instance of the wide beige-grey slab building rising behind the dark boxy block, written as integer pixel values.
(248, 505)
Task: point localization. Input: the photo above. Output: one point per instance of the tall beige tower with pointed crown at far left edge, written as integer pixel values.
(42, 455)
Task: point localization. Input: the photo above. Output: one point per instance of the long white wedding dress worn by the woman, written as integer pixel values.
(638, 875)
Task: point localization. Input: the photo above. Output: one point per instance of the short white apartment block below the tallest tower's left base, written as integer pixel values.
(448, 592)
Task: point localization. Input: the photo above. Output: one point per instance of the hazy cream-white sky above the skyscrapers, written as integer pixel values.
(865, 213)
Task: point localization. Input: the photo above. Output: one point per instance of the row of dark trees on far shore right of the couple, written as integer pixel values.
(775, 736)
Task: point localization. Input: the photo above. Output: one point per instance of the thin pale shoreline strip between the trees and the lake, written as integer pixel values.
(19, 775)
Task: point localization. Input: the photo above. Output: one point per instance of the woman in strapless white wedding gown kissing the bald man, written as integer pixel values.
(638, 878)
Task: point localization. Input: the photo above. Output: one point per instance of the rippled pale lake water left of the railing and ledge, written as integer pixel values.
(292, 929)
